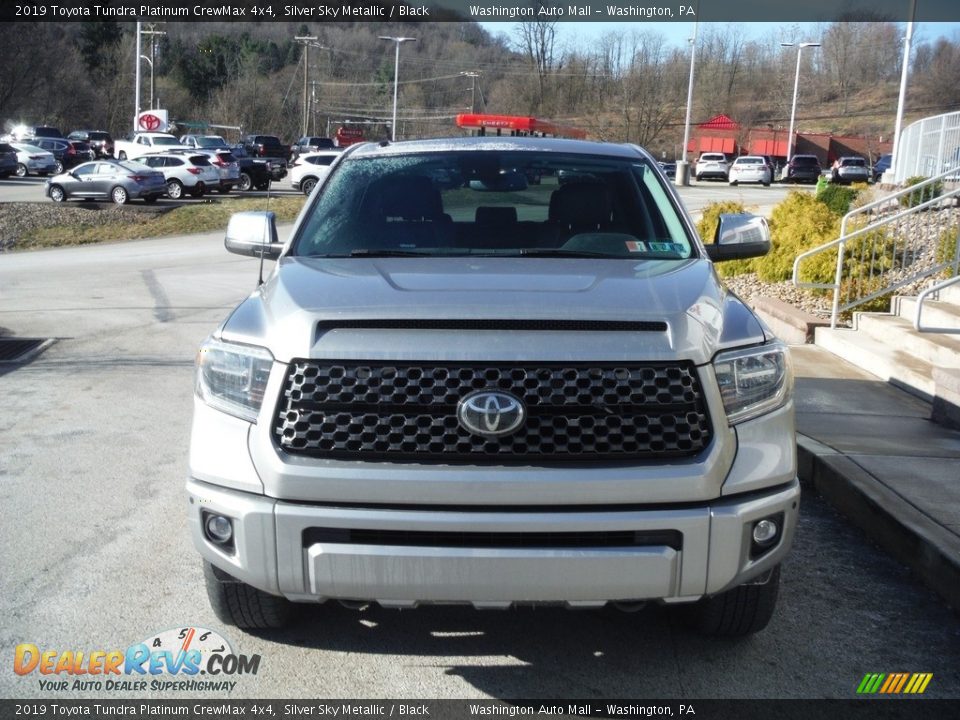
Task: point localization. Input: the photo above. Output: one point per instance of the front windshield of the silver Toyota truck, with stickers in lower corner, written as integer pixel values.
(513, 203)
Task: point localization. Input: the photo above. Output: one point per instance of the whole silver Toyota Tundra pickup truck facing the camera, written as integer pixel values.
(494, 371)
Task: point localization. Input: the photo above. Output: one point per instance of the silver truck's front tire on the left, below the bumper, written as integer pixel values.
(239, 604)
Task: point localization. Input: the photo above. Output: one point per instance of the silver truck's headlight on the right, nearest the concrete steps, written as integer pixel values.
(754, 381)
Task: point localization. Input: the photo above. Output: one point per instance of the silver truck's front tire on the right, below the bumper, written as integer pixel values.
(741, 611)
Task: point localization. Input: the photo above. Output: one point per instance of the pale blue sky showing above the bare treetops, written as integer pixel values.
(579, 34)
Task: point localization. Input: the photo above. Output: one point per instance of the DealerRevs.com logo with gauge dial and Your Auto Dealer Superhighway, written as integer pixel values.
(188, 659)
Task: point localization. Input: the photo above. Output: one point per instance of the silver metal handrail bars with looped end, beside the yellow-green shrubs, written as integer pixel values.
(892, 200)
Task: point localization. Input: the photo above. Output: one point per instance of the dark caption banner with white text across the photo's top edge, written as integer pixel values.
(483, 10)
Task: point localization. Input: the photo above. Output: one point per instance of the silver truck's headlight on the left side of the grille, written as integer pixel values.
(232, 378)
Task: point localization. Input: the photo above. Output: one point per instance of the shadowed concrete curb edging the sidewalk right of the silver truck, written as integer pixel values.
(898, 527)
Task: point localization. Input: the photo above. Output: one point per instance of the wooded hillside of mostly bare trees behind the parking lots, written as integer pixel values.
(630, 85)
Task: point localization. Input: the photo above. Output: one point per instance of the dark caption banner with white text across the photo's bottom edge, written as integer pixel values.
(873, 709)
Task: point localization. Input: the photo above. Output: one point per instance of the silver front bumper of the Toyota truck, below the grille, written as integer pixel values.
(313, 552)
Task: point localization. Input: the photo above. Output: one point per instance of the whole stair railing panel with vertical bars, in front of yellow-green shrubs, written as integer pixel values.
(891, 243)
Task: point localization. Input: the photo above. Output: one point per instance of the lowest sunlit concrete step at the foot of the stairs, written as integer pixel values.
(883, 359)
